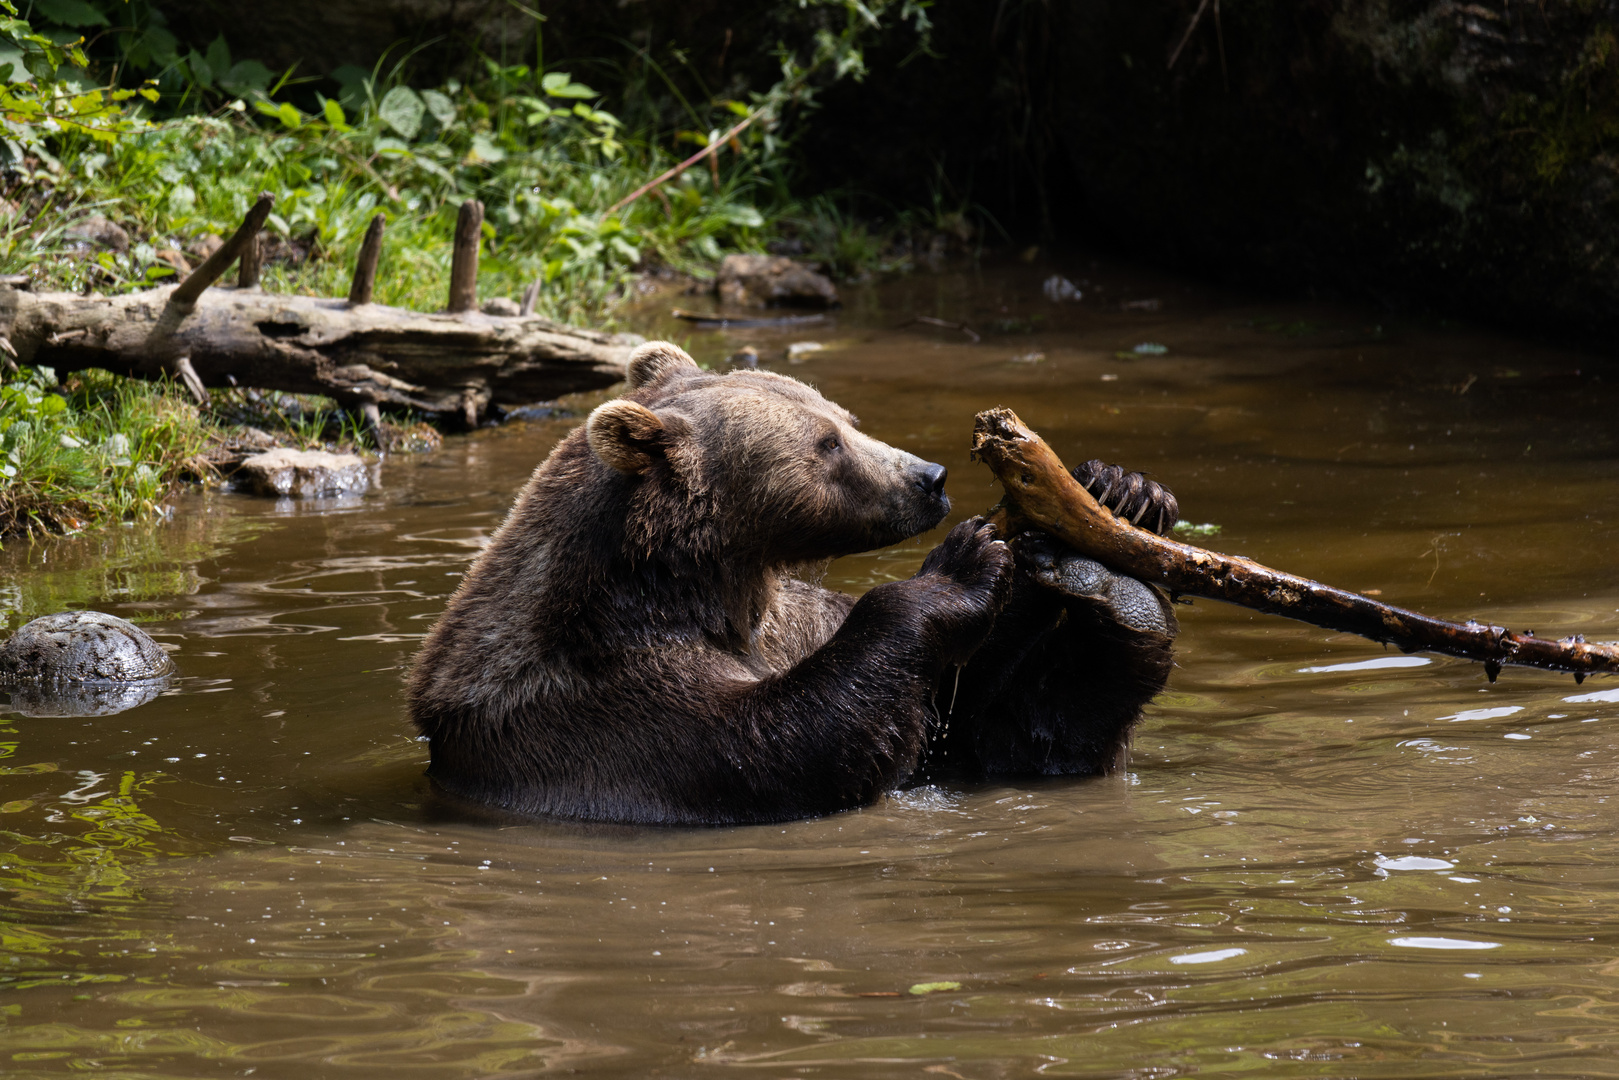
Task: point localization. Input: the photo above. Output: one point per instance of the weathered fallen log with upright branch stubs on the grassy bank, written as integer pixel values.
(360, 354)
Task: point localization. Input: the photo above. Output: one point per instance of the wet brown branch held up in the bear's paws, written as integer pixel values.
(1043, 495)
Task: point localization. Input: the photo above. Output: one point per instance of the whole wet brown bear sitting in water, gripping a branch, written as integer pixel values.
(642, 644)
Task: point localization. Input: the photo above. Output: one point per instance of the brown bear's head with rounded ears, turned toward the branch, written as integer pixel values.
(783, 472)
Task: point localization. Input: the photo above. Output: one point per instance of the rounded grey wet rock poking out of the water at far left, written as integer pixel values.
(82, 648)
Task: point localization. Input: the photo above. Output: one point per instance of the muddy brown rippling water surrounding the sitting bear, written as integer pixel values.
(1325, 861)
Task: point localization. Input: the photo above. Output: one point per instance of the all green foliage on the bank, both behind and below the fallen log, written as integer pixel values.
(540, 148)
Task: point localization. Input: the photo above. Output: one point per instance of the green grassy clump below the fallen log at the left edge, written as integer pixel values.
(98, 449)
